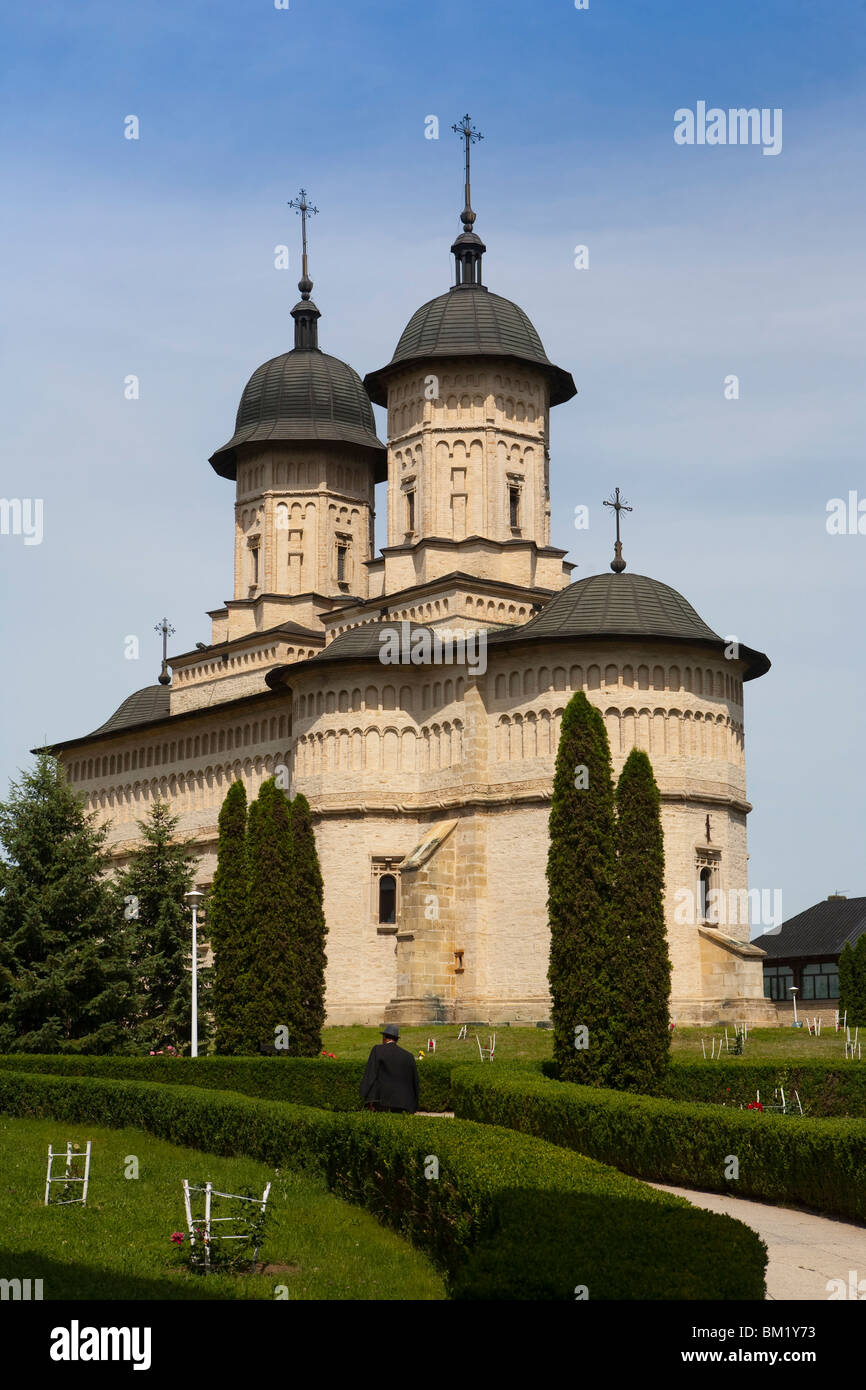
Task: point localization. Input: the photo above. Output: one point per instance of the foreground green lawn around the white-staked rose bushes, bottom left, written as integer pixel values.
(120, 1245)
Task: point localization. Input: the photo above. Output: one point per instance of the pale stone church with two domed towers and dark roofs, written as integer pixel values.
(415, 696)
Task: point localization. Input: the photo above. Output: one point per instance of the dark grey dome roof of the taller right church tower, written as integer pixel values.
(471, 322)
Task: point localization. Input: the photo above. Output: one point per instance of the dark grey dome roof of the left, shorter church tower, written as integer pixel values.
(304, 397)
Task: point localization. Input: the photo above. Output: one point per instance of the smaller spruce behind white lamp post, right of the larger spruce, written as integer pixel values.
(152, 889)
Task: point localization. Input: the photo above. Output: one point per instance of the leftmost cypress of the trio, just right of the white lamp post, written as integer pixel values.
(229, 924)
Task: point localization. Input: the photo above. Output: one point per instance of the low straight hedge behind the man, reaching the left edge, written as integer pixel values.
(322, 1082)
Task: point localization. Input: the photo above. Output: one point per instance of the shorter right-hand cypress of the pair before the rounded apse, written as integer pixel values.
(639, 954)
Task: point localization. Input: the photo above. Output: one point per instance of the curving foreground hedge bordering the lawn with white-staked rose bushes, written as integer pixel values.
(509, 1217)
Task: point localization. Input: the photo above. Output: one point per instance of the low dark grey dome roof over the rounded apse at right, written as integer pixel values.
(626, 605)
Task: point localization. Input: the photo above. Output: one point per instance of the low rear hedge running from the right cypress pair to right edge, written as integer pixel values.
(826, 1089)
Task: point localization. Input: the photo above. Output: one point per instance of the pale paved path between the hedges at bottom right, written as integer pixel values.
(804, 1252)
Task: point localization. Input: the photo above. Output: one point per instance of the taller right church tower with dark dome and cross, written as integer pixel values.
(469, 393)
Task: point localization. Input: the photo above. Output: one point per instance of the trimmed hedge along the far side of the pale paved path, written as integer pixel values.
(819, 1164)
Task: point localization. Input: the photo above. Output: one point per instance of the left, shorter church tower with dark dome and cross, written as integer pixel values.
(305, 458)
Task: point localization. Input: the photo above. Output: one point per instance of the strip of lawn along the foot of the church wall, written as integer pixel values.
(537, 1045)
